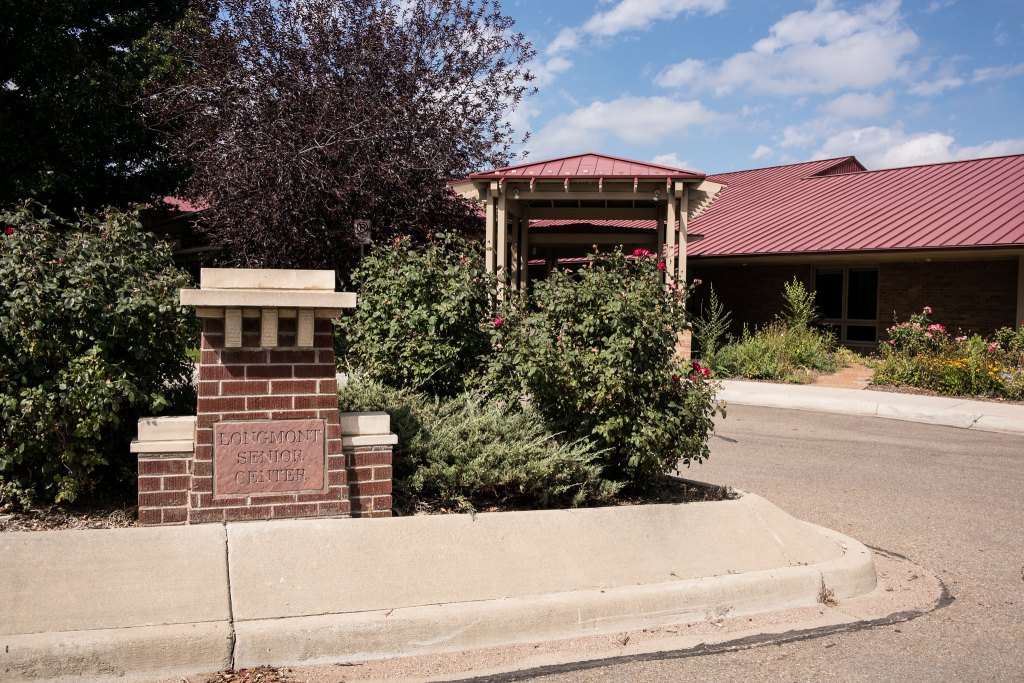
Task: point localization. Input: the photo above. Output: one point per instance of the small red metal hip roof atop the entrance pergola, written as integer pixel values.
(588, 166)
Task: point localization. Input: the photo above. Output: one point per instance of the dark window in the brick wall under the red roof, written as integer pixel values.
(848, 302)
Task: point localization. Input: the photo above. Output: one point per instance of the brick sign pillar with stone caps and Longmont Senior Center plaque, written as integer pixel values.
(269, 440)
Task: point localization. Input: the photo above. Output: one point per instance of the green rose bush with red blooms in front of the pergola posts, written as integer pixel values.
(594, 354)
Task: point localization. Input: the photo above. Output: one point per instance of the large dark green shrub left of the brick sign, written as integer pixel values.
(92, 338)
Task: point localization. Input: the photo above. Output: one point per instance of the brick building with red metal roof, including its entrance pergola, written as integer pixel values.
(875, 245)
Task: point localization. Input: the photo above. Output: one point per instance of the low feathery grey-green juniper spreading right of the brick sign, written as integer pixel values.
(466, 453)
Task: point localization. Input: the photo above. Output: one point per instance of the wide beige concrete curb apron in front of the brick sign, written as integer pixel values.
(306, 591)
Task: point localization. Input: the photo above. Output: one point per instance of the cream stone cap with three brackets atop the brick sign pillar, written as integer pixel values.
(269, 294)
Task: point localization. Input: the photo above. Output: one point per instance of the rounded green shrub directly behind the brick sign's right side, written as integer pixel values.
(420, 321)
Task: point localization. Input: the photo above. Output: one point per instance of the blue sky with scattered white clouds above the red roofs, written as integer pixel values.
(722, 86)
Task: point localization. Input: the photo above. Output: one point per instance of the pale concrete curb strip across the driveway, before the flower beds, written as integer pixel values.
(980, 415)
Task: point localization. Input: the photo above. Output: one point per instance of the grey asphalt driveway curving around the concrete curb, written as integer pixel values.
(951, 500)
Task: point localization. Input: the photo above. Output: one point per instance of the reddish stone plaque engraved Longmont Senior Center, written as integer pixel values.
(268, 457)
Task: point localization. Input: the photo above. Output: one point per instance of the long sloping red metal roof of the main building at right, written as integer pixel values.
(812, 208)
